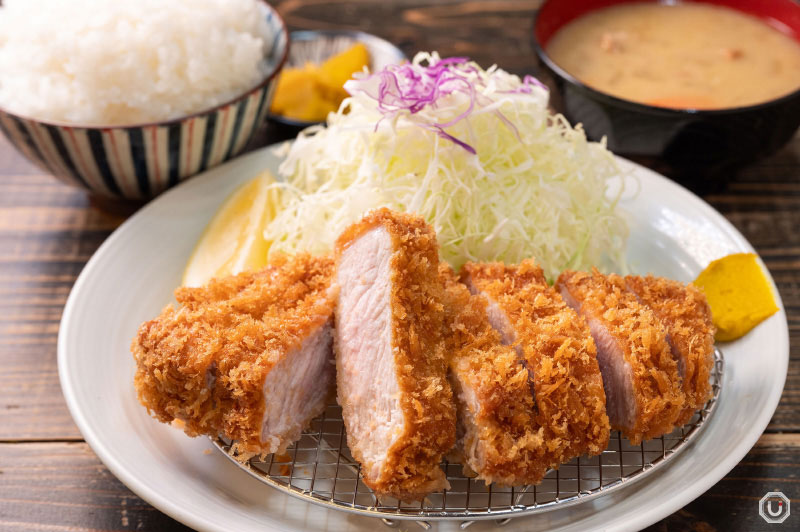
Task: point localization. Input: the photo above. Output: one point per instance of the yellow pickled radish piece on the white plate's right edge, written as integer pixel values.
(738, 293)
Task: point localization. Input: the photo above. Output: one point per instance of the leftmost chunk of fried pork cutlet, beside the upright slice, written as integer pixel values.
(247, 356)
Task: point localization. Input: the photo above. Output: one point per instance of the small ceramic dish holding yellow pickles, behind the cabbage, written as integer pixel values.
(315, 46)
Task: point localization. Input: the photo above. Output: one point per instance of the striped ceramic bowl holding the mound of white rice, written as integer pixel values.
(138, 162)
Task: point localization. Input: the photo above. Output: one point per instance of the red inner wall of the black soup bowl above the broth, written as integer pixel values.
(783, 15)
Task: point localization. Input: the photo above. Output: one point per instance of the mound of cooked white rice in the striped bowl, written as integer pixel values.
(110, 62)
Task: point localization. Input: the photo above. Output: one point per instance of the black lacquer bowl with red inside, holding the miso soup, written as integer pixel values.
(700, 148)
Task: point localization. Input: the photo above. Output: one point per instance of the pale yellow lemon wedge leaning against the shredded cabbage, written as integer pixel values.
(233, 241)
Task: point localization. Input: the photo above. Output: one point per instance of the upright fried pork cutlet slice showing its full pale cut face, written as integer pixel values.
(397, 404)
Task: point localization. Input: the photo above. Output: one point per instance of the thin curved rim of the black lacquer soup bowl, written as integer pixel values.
(643, 107)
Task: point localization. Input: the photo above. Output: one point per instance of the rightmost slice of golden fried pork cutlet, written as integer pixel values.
(685, 313)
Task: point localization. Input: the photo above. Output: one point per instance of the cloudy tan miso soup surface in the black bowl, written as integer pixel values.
(685, 55)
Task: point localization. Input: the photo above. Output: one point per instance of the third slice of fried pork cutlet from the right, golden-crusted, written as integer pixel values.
(555, 346)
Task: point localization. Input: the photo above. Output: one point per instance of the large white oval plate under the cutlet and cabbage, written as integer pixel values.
(132, 276)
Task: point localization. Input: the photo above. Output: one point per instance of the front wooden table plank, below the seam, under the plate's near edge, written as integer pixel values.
(47, 486)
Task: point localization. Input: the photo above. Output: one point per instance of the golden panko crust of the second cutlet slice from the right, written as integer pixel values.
(657, 388)
